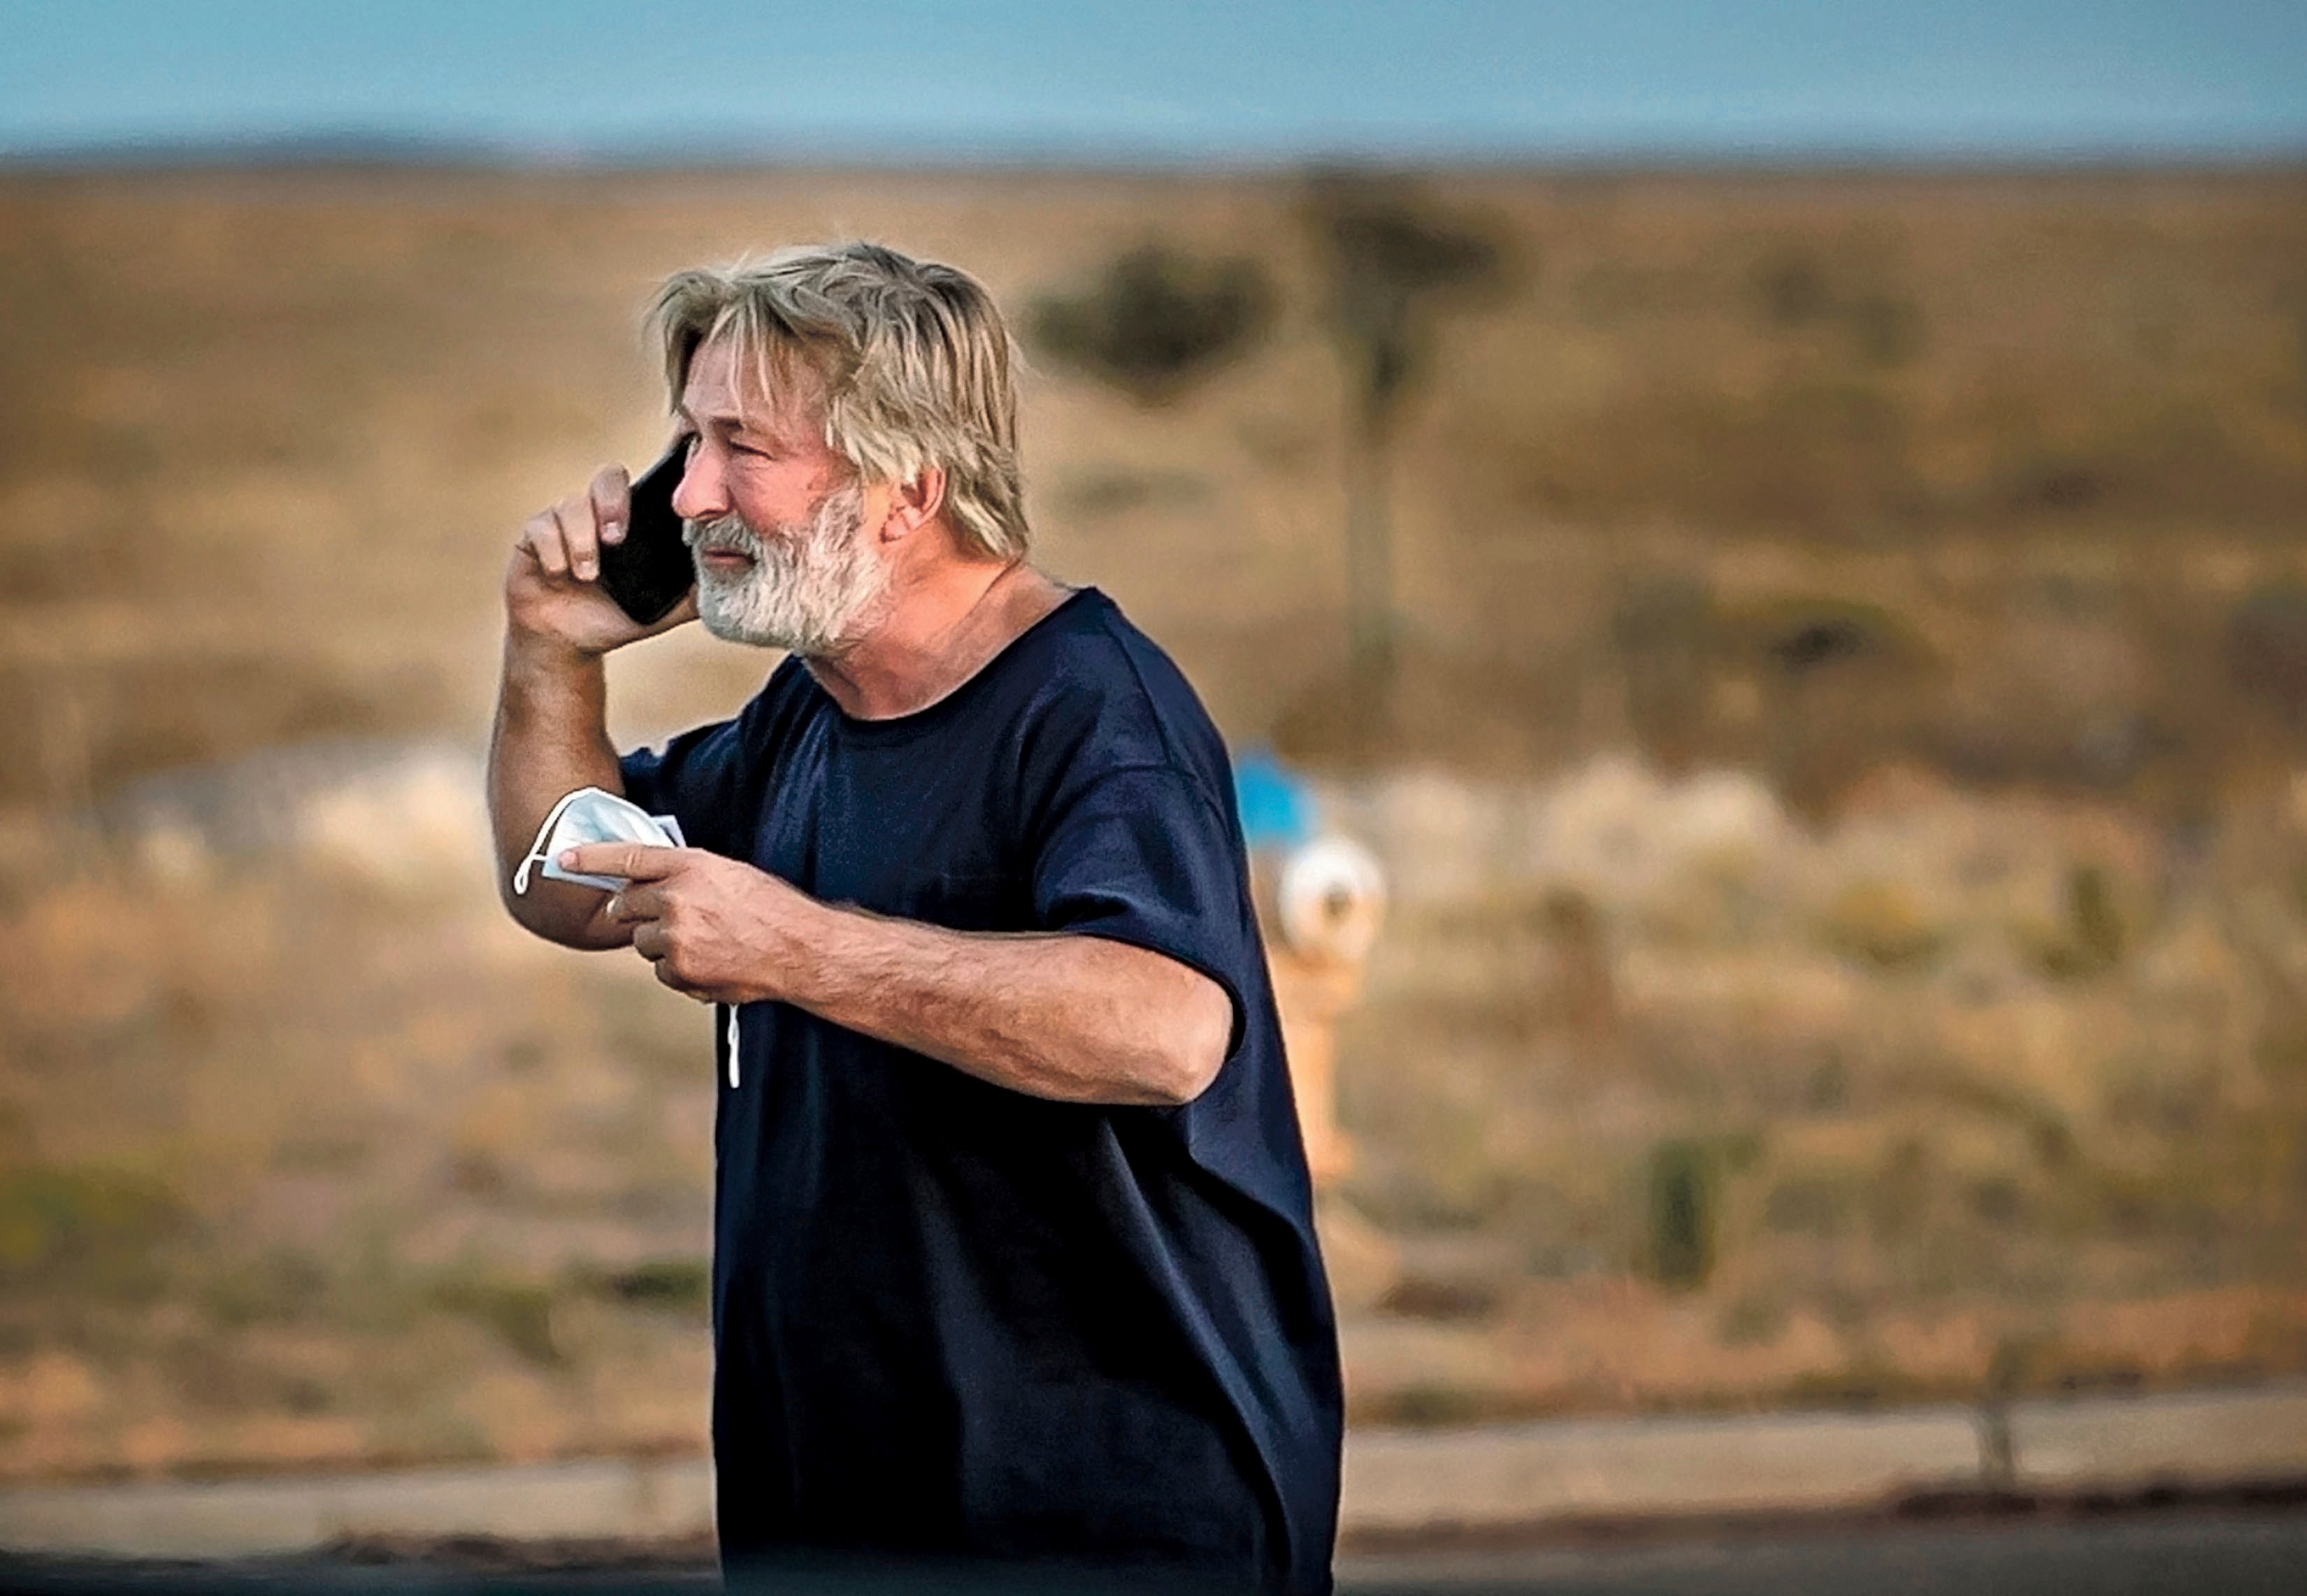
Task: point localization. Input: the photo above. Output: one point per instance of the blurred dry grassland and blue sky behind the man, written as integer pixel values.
(1782, 527)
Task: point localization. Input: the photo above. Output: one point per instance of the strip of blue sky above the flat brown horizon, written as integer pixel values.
(1168, 82)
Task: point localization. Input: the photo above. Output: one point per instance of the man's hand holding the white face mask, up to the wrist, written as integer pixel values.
(714, 928)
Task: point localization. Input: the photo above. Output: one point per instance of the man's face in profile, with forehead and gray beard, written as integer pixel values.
(776, 520)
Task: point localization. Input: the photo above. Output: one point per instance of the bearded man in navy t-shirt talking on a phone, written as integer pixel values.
(1014, 1244)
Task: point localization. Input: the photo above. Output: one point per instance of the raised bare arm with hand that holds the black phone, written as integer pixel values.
(553, 730)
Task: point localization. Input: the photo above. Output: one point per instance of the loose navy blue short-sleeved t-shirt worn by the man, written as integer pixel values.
(954, 1320)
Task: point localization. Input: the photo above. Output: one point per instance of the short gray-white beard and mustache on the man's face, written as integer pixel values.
(813, 589)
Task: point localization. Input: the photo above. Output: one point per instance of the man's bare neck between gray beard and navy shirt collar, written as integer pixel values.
(938, 638)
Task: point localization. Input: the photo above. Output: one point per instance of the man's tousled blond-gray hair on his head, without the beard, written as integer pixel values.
(910, 356)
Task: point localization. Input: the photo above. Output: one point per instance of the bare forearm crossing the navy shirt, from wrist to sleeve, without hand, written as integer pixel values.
(1055, 1016)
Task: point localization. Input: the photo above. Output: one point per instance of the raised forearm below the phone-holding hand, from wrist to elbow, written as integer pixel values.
(550, 739)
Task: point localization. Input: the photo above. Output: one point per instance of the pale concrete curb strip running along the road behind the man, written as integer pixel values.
(1399, 1484)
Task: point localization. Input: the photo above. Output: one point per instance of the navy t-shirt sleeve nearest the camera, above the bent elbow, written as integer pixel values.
(1143, 857)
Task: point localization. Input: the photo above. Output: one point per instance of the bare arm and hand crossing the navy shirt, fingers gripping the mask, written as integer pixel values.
(1079, 1018)
